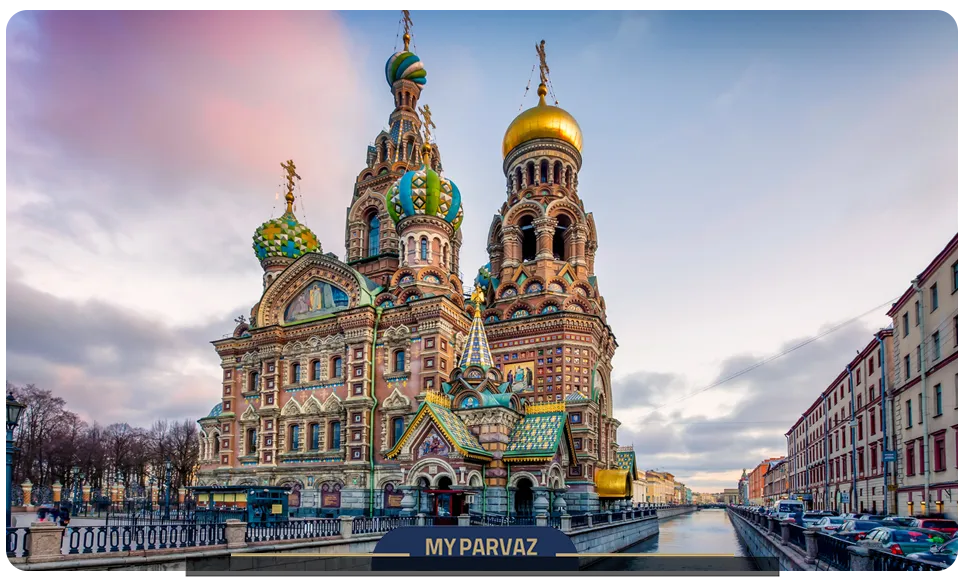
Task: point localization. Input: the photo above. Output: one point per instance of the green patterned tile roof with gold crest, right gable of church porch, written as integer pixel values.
(537, 436)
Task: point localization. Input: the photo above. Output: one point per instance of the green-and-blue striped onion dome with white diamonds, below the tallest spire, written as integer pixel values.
(425, 192)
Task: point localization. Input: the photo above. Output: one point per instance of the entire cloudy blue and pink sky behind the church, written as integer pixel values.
(756, 177)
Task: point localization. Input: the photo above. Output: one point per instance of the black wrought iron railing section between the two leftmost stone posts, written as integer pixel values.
(99, 539)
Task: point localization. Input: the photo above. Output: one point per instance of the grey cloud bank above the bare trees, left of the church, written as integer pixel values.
(110, 364)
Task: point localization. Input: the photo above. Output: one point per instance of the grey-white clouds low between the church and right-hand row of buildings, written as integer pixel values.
(697, 442)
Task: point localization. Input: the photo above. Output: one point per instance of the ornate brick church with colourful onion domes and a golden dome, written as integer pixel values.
(379, 385)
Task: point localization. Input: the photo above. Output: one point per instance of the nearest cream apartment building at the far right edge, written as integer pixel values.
(926, 387)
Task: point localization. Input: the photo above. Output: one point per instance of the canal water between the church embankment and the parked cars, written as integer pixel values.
(699, 541)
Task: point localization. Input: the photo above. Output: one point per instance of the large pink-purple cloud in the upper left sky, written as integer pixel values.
(227, 94)
